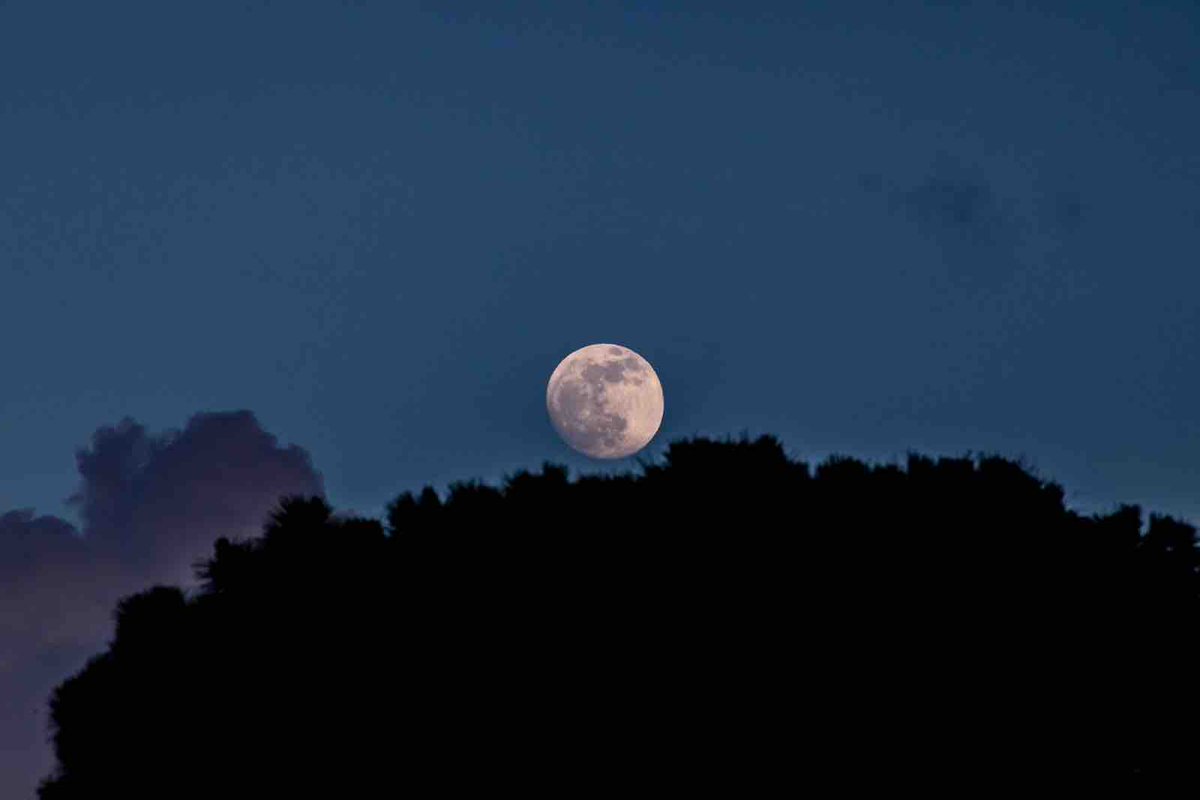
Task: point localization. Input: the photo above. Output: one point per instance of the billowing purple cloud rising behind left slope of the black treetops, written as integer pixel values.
(151, 507)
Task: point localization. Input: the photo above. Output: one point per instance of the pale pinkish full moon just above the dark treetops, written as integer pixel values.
(605, 401)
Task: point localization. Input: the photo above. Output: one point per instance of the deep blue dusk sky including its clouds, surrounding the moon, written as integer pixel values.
(257, 248)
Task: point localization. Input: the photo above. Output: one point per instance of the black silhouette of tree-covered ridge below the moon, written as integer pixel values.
(727, 621)
